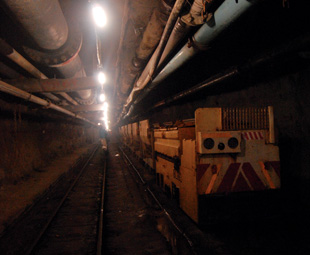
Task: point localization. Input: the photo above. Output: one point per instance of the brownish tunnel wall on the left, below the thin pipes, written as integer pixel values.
(30, 138)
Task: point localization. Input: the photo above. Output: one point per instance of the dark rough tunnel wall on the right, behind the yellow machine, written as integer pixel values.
(289, 94)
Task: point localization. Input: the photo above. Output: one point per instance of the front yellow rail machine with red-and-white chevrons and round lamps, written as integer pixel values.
(229, 151)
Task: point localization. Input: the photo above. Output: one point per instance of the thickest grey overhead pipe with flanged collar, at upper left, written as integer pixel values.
(58, 46)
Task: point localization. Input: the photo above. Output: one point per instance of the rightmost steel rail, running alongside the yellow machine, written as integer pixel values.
(189, 241)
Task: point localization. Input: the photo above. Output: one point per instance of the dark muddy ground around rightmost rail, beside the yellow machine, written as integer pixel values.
(182, 234)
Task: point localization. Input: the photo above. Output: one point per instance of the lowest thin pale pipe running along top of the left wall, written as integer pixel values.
(9, 89)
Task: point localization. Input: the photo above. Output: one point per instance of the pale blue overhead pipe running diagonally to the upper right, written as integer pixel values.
(227, 13)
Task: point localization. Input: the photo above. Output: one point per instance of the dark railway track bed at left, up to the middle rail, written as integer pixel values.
(68, 218)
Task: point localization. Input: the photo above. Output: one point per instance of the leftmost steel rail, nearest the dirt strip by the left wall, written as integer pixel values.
(51, 218)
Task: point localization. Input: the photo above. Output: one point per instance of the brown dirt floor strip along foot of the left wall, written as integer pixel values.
(16, 197)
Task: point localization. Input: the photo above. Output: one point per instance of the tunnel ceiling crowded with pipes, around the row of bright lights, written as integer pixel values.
(65, 46)
